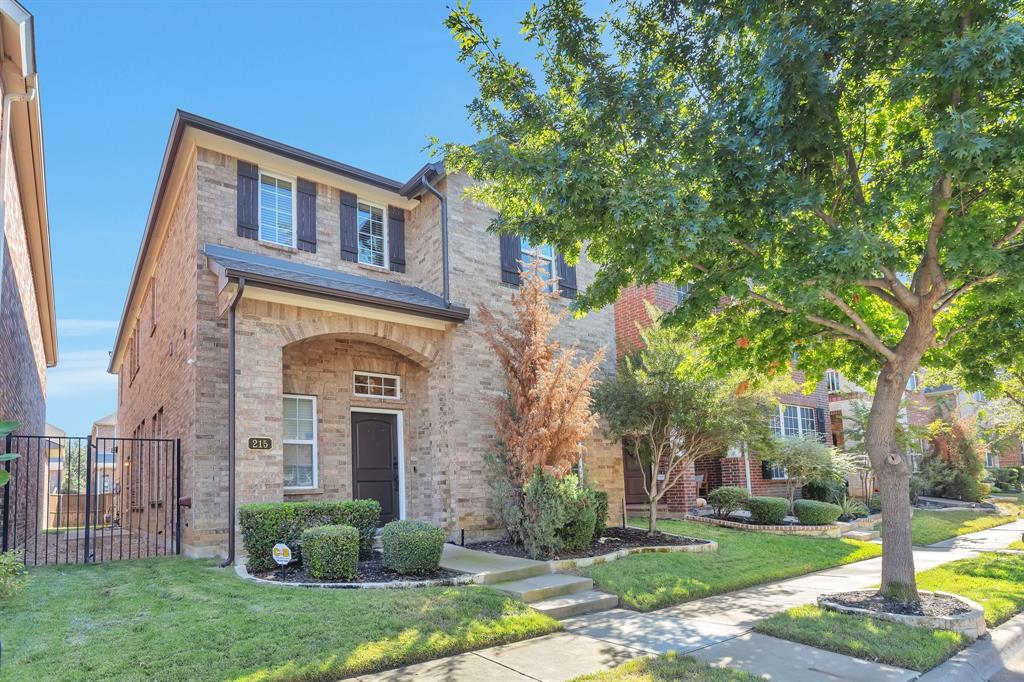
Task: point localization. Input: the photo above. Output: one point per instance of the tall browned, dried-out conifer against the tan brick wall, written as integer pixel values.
(546, 413)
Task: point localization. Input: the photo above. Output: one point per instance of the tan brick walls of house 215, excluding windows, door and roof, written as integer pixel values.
(450, 380)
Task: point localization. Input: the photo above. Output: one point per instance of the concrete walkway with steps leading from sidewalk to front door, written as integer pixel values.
(535, 583)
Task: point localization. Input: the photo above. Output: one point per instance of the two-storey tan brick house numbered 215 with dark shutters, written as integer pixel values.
(347, 305)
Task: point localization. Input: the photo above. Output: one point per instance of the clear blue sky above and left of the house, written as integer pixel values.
(364, 83)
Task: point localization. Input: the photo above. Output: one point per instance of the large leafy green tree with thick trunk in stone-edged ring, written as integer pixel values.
(849, 176)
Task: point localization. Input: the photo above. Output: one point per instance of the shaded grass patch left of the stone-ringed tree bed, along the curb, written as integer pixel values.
(893, 644)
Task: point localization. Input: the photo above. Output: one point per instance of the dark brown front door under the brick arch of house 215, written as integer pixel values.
(375, 461)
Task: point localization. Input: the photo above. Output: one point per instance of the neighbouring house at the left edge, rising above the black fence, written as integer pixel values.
(28, 343)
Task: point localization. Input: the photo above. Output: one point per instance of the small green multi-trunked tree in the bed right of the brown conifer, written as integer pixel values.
(672, 411)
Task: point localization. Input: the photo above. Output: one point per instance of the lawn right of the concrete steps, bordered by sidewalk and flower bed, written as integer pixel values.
(647, 582)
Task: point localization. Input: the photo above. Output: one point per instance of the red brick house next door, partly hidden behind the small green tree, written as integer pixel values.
(799, 414)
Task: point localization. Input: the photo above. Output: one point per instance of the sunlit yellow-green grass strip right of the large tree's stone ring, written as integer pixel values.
(995, 581)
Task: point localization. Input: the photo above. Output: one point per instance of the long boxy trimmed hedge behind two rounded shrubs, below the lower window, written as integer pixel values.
(264, 526)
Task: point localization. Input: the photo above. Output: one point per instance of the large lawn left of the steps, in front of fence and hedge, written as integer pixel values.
(174, 619)
